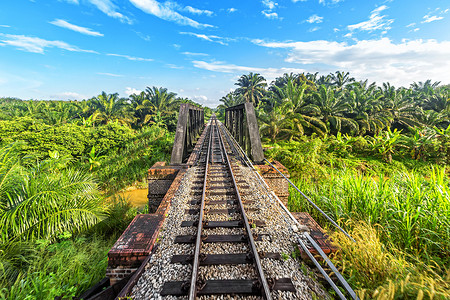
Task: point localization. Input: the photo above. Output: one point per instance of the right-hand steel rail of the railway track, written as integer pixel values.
(265, 286)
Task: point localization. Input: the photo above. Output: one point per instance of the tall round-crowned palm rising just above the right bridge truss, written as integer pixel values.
(252, 87)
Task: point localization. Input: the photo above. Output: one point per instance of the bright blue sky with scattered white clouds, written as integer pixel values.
(75, 49)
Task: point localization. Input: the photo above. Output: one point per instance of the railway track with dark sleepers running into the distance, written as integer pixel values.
(222, 233)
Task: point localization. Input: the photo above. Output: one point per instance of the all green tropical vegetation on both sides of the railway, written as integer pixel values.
(374, 158)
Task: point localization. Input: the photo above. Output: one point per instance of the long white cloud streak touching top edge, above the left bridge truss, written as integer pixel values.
(166, 12)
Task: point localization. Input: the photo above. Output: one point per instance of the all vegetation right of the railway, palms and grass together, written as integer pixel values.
(375, 159)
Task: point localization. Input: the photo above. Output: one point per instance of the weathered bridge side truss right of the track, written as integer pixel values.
(241, 122)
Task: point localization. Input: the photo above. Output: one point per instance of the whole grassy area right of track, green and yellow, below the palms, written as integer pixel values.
(399, 214)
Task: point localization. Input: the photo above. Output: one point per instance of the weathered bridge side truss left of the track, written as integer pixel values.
(190, 124)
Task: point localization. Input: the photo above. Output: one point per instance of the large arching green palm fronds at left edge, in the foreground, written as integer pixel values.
(50, 197)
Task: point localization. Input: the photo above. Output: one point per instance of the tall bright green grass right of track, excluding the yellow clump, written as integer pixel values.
(412, 209)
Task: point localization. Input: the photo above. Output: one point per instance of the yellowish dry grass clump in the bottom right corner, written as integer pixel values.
(380, 273)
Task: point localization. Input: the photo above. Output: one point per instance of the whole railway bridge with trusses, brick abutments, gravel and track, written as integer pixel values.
(219, 226)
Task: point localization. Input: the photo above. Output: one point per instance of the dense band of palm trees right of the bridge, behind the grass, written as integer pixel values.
(305, 104)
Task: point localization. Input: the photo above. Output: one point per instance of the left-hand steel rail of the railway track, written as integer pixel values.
(196, 262)
